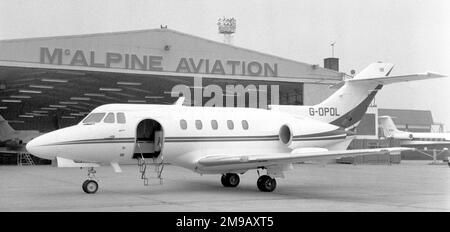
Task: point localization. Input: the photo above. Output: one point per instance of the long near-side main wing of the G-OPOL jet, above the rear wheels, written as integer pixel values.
(298, 155)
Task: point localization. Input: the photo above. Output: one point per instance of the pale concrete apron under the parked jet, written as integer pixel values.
(409, 186)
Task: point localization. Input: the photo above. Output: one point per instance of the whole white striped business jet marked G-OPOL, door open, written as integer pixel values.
(214, 140)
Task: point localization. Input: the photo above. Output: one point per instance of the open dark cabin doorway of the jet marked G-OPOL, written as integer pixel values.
(149, 139)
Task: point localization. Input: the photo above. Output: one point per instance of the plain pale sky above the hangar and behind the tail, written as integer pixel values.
(412, 34)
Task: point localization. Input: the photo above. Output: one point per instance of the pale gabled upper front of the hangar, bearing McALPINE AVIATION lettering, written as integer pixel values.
(160, 50)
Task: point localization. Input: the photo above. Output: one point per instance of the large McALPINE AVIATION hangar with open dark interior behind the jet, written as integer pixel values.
(52, 82)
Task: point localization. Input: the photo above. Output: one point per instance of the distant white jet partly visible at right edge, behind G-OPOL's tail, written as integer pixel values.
(412, 138)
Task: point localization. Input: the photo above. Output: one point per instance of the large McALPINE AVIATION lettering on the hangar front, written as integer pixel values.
(60, 56)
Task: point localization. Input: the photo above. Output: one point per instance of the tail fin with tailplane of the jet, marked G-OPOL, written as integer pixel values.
(347, 106)
